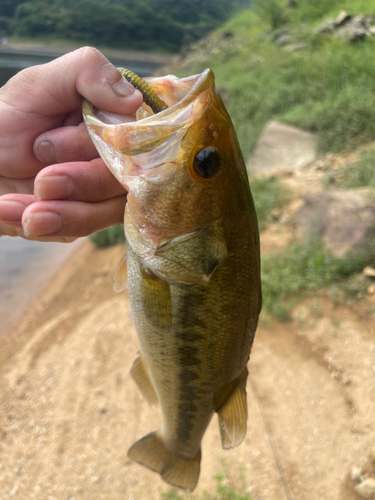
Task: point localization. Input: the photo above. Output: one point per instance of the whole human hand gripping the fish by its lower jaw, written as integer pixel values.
(53, 185)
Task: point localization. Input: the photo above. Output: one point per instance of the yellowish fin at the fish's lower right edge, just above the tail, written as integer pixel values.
(233, 414)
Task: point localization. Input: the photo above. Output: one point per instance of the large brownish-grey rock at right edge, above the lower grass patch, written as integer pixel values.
(343, 220)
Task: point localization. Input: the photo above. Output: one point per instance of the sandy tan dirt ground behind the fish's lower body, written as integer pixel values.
(70, 411)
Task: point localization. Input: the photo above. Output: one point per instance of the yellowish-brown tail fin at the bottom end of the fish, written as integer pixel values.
(177, 471)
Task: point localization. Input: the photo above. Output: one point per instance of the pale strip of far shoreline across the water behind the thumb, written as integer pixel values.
(59, 50)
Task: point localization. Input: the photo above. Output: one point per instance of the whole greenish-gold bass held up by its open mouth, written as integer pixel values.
(192, 266)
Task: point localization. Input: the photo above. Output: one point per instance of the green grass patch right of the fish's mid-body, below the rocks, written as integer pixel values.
(300, 271)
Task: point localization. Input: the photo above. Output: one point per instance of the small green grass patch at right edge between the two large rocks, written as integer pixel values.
(355, 175)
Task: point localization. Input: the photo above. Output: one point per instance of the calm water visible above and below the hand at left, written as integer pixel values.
(25, 266)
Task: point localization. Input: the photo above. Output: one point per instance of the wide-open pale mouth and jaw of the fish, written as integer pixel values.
(146, 144)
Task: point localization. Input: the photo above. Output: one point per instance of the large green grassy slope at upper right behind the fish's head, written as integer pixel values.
(327, 87)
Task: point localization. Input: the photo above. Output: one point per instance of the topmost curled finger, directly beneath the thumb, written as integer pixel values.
(64, 145)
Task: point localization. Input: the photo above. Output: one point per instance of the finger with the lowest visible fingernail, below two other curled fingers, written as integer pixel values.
(73, 218)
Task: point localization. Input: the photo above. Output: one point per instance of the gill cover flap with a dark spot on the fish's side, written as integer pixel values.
(193, 258)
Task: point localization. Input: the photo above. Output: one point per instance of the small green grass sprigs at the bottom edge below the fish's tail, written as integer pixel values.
(225, 488)
